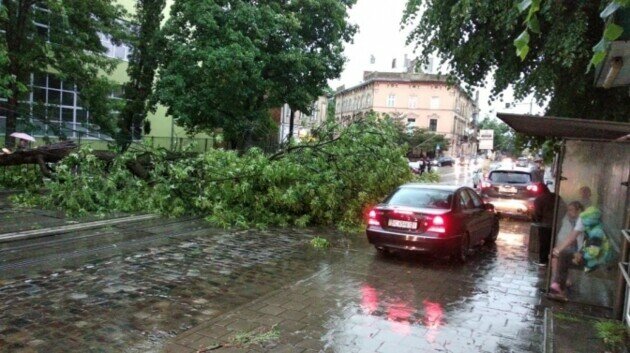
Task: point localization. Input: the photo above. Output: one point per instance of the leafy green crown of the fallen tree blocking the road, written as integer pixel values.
(329, 182)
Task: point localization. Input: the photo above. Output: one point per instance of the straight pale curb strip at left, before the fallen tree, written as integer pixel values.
(38, 233)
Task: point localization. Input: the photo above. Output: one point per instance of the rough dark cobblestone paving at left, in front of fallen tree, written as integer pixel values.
(140, 295)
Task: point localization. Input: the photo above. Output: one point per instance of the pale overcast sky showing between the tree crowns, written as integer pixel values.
(380, 35)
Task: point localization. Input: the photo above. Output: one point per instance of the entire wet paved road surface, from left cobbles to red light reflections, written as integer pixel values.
(177, 286)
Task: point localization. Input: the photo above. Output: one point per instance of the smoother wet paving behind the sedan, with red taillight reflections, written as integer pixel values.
(362, 302)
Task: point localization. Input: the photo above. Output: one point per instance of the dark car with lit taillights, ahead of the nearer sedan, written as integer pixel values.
(513, 190)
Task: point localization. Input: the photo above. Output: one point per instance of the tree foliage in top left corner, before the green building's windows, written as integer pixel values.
(60, 37)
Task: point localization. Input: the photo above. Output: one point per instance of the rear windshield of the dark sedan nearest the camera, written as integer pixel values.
(421, 198)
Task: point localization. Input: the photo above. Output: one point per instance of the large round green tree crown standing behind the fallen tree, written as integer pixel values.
(225, 63)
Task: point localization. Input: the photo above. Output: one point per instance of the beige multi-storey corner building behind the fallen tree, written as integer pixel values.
(420, 100)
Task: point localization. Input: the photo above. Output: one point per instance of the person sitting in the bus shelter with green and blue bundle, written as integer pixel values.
(595, 251)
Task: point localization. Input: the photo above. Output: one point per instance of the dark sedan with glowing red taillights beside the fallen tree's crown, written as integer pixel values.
(436, 219)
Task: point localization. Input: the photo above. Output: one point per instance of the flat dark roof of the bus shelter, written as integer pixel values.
(580, 129)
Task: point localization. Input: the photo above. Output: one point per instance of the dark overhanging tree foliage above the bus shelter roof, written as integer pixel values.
(476, 38)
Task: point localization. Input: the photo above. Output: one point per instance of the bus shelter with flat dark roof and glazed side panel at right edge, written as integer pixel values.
(591, 170)
